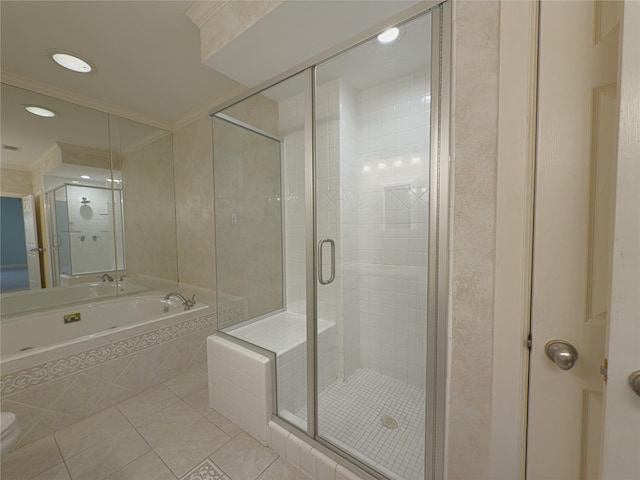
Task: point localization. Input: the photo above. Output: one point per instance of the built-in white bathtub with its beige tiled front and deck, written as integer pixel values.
(119, 348)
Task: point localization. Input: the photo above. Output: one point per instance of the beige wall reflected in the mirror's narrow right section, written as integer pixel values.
(149, 210)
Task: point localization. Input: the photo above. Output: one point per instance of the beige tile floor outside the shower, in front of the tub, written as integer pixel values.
(167, 432)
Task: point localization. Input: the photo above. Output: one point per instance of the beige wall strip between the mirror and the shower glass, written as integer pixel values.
(193, 173)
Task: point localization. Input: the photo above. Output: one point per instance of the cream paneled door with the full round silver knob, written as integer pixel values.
(573, 231)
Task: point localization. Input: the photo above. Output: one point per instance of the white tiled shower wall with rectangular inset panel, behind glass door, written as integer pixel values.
(393, 196)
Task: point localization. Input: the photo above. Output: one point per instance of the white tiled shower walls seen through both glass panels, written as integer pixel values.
(372, 181)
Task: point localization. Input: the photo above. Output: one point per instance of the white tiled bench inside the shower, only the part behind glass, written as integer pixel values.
(285, 334)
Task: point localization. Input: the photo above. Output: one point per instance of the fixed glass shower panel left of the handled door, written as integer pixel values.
(259, 172)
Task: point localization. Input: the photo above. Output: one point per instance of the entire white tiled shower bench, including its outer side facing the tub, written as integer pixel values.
(241, 379)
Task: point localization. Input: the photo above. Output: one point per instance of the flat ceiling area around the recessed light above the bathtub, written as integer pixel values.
(147, 54)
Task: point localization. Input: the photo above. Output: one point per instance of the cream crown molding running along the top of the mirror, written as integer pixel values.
(38, 87)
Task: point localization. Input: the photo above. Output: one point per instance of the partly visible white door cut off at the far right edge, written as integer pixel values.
(621, 445)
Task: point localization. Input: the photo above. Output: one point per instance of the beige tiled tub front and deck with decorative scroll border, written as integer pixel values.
(57, 387)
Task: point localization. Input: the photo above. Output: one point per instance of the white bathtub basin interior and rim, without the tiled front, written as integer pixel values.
(33, 333)
